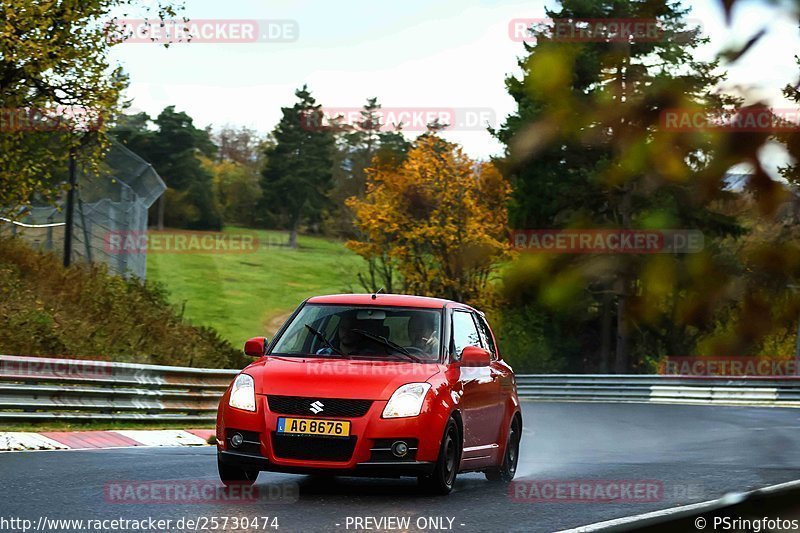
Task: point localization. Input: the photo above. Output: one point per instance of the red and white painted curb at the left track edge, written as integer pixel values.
(90, 440)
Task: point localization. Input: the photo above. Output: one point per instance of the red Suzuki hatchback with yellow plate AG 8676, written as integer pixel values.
(380, 385)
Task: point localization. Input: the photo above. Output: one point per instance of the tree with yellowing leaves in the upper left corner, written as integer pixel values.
(59, 90)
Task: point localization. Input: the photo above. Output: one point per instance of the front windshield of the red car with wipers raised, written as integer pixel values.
(363, 332)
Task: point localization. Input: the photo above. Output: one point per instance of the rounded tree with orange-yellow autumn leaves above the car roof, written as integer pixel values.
(439, 218)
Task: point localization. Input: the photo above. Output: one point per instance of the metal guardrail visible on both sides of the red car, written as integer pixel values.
(35, 388)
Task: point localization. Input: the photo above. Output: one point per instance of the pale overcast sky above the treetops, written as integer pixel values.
(412, 55)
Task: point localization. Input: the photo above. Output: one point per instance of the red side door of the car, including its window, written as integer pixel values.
(478, 403)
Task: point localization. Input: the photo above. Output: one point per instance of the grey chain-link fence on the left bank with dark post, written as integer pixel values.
(111, 205)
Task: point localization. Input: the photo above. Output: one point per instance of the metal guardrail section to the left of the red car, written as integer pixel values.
(35, 388)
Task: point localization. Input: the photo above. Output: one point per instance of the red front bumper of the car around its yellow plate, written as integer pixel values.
(369, 433)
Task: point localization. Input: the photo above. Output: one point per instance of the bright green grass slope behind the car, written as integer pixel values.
(243, 295)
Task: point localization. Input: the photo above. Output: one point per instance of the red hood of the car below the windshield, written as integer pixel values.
(336, 378)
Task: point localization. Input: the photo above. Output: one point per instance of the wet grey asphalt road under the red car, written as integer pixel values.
(691, 453)
